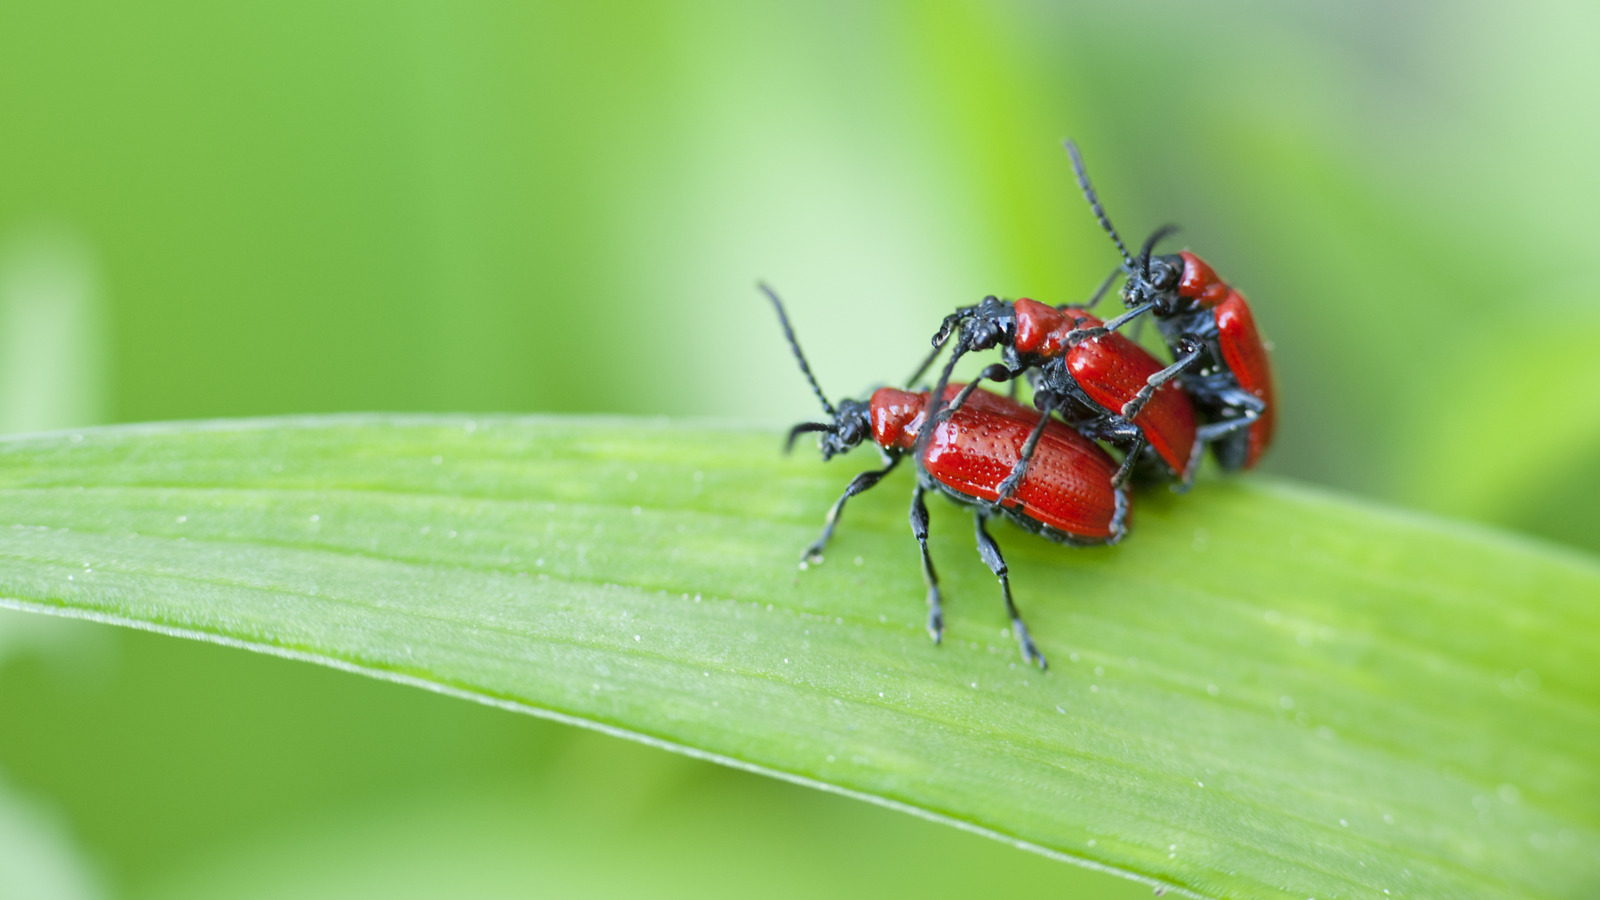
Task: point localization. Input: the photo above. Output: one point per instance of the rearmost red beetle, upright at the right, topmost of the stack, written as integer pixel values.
(1231, 380)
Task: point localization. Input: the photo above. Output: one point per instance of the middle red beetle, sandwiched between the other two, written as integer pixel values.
(1100, 382)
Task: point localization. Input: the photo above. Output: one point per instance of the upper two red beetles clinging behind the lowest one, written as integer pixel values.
(1116, 392)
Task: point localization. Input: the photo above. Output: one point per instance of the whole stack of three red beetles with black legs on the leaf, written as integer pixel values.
(1042, 468)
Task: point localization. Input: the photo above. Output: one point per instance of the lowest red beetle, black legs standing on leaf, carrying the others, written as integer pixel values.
(1068, 494)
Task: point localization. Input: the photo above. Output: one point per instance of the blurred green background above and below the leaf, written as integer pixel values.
(250, 209)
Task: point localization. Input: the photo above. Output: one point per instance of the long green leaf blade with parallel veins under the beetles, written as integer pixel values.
(1265, 693)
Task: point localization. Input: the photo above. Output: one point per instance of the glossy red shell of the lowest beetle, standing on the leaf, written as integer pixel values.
(1068, 484)
